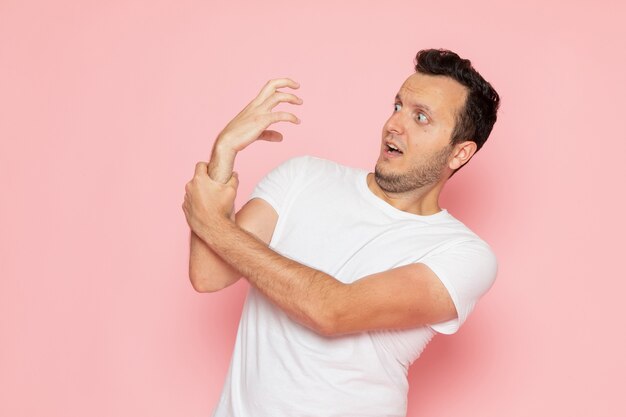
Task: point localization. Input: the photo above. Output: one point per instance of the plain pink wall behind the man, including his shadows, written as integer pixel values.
(106, 106)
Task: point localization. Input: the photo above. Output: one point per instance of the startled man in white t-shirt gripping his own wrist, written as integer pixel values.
(352, 273)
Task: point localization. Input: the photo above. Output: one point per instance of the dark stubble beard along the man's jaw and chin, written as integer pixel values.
(418, 177)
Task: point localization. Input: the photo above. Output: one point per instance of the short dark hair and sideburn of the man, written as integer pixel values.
(475, 121)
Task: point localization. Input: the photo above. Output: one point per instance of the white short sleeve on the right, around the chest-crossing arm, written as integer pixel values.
(467, 270)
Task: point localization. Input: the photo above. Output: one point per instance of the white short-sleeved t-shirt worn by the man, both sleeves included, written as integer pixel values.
(330, 220)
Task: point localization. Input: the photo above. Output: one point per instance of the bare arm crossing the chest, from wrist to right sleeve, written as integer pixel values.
(403, 297)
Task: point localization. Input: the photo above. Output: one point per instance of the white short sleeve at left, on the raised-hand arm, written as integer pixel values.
(275, 186)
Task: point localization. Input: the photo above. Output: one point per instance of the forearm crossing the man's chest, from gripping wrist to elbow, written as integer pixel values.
(302, 292)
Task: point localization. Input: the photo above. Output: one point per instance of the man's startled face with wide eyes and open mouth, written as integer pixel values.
(420, 127)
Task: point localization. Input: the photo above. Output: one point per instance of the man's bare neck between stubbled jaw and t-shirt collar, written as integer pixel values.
(422, 201)
